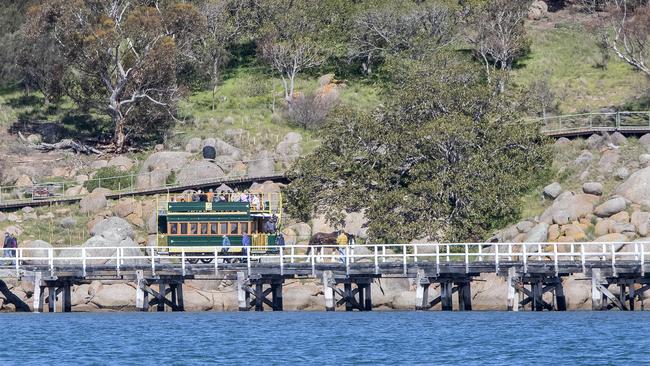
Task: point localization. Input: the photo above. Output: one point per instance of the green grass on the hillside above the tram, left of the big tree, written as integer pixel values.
(246, 101)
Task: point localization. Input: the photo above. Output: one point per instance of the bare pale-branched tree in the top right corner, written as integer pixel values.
(625, 30)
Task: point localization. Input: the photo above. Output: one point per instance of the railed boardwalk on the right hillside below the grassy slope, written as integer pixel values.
(574, 124)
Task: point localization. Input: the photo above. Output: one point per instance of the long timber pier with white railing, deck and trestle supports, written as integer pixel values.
(534, 272)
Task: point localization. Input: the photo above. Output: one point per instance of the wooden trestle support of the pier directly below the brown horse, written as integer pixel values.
(355, 295)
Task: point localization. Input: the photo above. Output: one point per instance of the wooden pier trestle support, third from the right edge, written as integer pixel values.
(460, 284)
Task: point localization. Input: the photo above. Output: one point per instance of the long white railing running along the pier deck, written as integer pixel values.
(486, 255)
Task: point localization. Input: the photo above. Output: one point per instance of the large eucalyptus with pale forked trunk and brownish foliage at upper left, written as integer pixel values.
(122, 56)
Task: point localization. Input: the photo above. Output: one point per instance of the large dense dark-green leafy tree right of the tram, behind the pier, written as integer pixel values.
(447, 160)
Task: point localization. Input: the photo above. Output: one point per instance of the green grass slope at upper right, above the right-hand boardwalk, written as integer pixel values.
(568, 56)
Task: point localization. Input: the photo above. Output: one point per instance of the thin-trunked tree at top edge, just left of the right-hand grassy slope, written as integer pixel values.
(498, 37)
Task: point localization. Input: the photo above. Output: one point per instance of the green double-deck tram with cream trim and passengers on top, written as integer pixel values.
(190, 221)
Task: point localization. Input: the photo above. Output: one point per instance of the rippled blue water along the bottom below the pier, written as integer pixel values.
(376, 338)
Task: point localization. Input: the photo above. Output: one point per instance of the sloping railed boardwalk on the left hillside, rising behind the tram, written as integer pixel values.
(56, 191)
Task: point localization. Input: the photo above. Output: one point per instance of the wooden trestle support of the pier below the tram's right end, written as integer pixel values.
(253, 286)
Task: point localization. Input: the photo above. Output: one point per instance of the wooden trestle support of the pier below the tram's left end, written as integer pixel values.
(167, 285)
